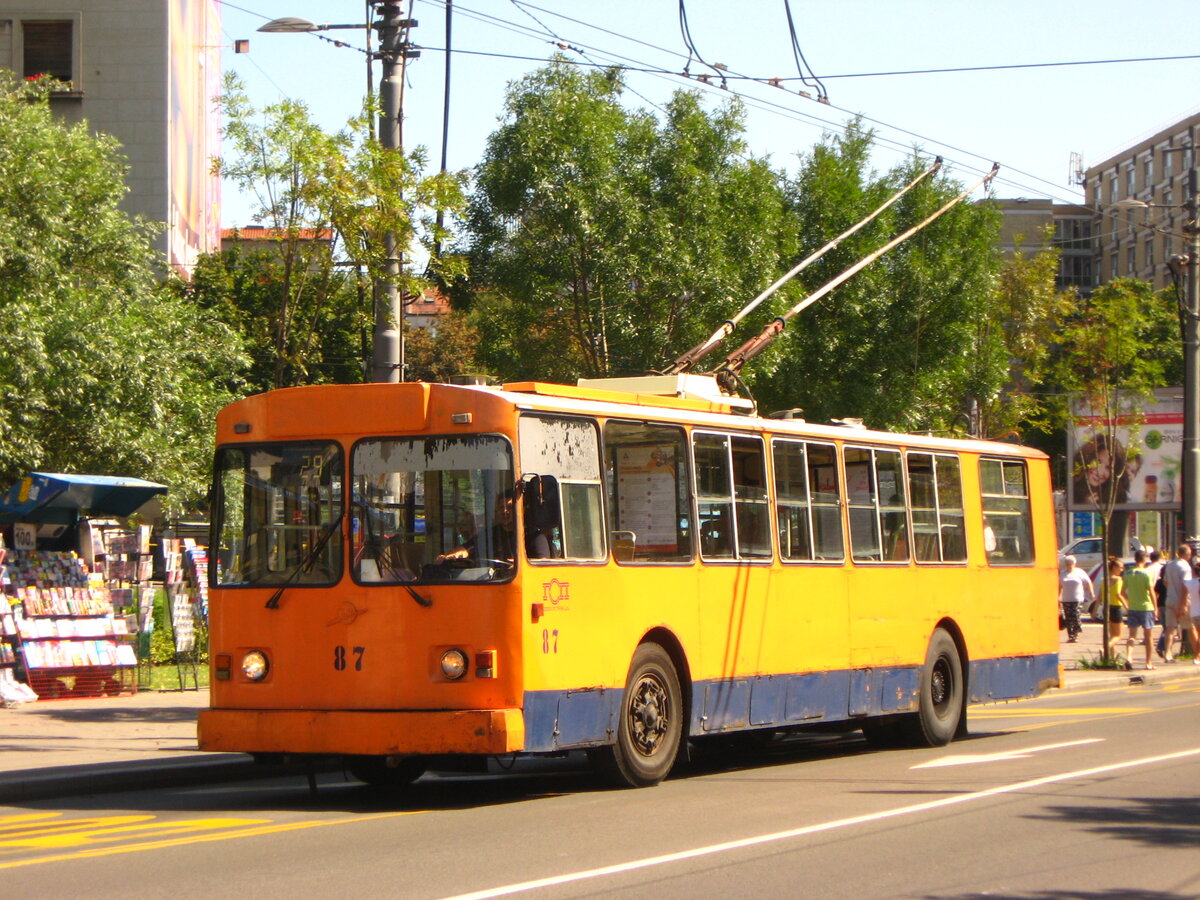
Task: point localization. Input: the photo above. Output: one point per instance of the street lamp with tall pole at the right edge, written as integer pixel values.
(1190, 317)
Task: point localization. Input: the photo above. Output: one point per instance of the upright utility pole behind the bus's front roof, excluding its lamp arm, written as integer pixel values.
(389, 337)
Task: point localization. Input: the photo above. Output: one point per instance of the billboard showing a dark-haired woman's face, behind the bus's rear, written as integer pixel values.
(1144, 457)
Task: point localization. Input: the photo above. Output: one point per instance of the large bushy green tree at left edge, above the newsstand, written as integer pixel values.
(103, 371)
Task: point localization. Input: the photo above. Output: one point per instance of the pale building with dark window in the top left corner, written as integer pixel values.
(146, 73)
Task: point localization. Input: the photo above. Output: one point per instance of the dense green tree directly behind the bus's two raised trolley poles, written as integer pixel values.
(892, 346)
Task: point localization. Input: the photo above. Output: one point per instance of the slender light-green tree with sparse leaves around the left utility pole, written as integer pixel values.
(347, 191)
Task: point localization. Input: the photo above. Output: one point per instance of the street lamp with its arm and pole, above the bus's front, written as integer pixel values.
(388, 346)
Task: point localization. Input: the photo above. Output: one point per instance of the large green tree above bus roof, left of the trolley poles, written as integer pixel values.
(609, 236)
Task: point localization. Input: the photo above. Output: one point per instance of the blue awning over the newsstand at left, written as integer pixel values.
(55, 497)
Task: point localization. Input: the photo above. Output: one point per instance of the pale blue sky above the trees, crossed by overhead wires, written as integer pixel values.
(1027, 116)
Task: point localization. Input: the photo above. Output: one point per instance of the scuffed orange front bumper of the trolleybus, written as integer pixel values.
(362, 733)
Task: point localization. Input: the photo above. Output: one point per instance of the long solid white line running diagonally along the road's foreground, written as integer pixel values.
(620, 868)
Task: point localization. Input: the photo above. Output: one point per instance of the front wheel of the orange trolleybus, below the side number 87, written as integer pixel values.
(651, 728)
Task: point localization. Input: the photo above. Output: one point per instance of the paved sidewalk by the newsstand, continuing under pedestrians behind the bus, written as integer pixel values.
(57, 748)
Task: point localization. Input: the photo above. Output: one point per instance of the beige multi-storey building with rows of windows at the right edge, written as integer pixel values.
(1141, 243)
